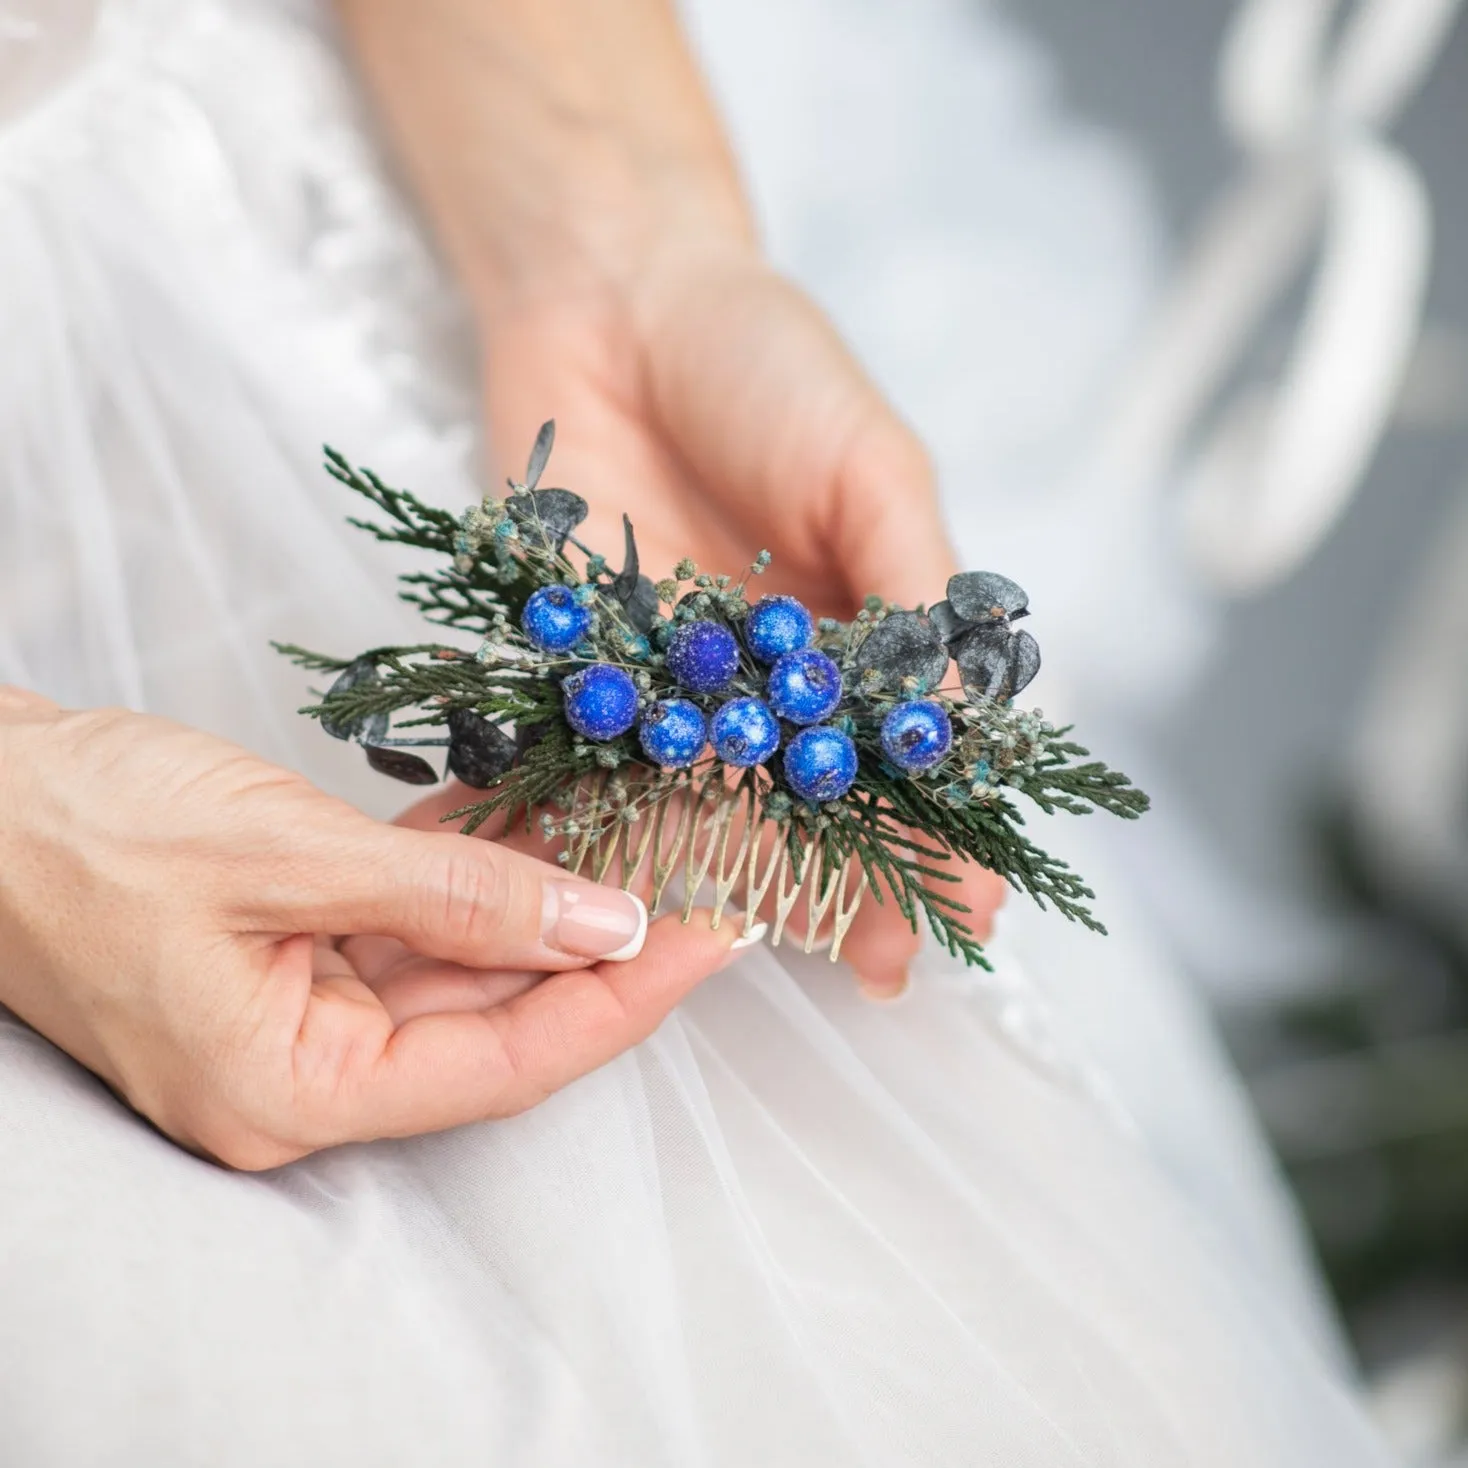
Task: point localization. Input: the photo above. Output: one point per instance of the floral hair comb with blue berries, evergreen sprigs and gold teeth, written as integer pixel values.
(676, 730)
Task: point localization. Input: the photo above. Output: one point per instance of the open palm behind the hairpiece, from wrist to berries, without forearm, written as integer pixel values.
(711, 400)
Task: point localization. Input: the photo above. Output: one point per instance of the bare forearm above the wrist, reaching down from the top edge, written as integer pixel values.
(554, 143)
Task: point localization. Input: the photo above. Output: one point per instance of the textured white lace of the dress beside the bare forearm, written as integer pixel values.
(290, 199)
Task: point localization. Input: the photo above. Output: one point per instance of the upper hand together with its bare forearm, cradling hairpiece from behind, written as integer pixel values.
(581, 184)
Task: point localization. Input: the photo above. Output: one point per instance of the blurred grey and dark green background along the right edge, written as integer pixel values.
(1319, 748)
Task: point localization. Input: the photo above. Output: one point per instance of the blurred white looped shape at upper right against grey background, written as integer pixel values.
(1266, 469)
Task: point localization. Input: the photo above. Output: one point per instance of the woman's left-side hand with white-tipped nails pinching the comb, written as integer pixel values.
(164, 898)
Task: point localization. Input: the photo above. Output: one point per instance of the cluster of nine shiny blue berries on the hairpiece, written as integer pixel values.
(804, 688)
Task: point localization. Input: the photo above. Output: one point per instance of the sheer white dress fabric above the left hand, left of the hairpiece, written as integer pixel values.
(192, 303)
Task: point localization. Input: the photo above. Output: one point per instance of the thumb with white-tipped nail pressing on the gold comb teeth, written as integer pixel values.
(468, 902)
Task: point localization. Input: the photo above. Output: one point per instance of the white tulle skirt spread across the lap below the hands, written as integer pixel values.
(792, 1229)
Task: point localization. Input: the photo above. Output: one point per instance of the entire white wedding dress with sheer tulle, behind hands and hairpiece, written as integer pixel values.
(1012, 1221)
